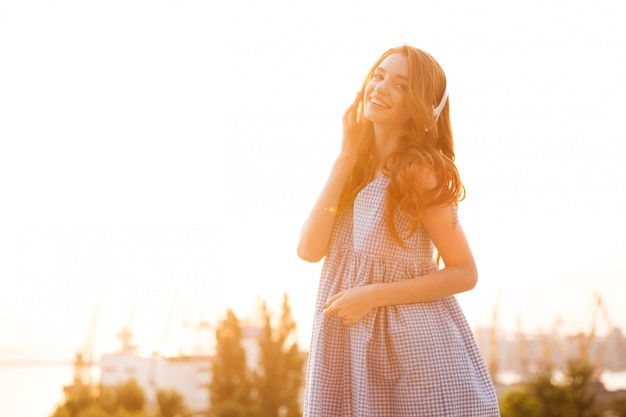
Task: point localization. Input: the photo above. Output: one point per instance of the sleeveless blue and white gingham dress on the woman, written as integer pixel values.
(407, 360)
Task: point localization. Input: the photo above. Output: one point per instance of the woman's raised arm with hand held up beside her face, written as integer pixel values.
(317, 230)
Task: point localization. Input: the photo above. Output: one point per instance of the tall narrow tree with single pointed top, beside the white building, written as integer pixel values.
(230, 389)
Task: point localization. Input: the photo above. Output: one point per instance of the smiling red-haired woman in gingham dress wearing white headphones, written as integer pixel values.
(389, 338)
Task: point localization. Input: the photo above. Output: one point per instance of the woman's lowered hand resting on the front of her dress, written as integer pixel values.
(350, 305)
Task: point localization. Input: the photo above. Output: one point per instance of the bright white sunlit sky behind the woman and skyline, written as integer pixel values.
(157, 159)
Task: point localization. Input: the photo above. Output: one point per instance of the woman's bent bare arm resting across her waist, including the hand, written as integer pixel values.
(458, 275)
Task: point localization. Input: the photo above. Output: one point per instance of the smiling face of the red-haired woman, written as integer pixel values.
(385, 97)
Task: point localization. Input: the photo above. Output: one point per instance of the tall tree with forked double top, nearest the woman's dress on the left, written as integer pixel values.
(280, 373)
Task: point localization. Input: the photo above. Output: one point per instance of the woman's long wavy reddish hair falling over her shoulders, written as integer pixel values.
(426, 147)
